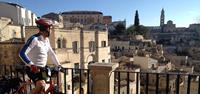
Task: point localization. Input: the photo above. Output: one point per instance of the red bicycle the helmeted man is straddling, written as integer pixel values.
(50, 90)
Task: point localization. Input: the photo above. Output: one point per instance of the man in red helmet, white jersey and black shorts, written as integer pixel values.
(35, 52)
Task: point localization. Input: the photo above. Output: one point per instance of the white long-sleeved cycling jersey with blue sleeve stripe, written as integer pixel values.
(36, 51)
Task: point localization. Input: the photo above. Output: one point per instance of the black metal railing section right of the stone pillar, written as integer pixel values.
(156, 83)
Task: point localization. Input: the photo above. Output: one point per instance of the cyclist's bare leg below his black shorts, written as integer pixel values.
(39, 88)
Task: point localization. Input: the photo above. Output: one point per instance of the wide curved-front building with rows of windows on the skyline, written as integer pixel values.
(82, 17)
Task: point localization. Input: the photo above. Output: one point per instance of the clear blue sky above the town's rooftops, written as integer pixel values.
(181, 12)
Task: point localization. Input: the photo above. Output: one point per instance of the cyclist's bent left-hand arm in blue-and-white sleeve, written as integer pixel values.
(26, 49)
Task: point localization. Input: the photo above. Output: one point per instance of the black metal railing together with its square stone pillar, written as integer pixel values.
(106, 79)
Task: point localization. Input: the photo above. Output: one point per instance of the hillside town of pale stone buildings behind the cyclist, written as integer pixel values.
(83, 39)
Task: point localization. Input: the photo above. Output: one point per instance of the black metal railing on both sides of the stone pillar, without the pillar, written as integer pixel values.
(125, 82)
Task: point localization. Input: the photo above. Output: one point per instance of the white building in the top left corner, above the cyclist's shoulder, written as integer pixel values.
(18, 14)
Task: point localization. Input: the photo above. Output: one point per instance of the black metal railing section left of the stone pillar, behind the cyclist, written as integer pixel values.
(79, 77)
